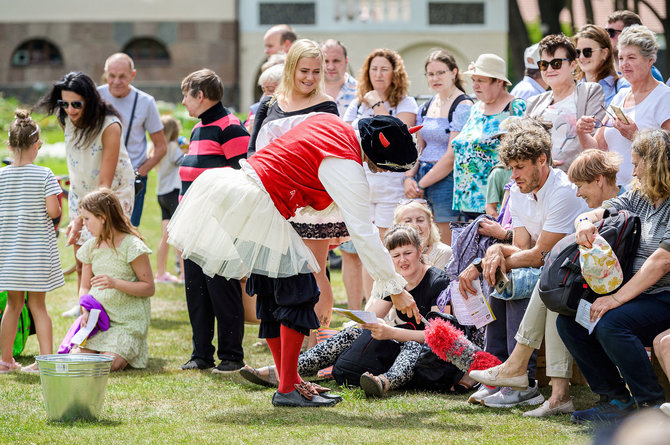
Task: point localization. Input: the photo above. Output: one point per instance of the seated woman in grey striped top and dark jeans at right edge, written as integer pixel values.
(612, 358)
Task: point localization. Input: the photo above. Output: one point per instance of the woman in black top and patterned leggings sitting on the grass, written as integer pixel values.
(424, 283)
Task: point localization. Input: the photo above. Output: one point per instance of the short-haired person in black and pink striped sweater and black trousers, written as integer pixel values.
(219, 140)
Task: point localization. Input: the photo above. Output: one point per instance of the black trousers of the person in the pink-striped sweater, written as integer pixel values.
(209, 298)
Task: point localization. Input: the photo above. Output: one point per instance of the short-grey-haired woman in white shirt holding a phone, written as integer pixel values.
(645, 105)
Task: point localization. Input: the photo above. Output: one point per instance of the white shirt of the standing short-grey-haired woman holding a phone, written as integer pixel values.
(648, 114)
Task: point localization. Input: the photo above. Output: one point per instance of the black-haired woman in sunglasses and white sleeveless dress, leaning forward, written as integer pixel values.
(96, 155)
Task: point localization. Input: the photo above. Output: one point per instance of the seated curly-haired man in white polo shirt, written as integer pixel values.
(543, 206)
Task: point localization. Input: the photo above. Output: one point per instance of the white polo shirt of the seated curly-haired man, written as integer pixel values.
(552, 209)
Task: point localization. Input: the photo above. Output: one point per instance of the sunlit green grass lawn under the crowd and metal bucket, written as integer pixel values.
(162, 404)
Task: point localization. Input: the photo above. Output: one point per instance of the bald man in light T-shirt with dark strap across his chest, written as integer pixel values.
(139, 115)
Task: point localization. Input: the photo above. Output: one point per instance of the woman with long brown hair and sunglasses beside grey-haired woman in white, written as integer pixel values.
(595, 61)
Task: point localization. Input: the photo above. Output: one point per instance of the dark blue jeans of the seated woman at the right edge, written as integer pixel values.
(618, 341)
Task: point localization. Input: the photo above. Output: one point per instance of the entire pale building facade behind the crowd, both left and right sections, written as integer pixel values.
(41, 40)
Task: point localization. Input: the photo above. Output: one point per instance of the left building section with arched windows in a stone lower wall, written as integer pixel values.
(41, 40)
